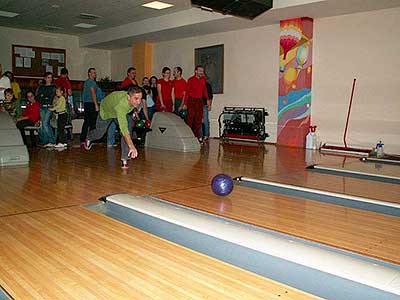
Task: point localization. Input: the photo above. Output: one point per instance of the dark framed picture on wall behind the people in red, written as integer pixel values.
(212, 59)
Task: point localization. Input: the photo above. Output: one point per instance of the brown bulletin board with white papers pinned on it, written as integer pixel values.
(29, 61)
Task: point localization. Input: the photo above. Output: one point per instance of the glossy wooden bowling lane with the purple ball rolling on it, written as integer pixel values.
(364, 232)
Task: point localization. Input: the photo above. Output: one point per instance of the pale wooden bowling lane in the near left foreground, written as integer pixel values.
(74, 253)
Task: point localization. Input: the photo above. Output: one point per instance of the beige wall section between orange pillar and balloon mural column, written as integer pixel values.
(251, 68)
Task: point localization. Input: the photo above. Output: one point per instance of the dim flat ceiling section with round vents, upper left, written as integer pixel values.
(37, 14)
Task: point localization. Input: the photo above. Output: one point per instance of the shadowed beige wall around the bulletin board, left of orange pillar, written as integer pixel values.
(78, 59)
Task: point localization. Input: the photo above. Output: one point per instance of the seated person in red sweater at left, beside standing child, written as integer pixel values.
(30, 116)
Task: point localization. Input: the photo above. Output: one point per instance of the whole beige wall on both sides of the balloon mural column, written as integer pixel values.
(363, 45)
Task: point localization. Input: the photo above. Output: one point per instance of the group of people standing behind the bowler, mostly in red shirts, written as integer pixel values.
(163, 95)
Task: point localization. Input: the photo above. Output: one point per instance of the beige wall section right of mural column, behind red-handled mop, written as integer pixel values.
(365, 46)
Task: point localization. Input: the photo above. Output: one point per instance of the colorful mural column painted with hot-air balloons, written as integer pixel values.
(295, 70)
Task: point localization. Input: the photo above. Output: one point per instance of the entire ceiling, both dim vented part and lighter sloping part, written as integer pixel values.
(123, 22)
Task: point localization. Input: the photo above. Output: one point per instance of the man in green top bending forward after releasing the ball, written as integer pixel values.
(116, 106)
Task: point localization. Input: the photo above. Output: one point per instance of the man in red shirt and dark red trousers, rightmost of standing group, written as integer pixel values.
(195, 91)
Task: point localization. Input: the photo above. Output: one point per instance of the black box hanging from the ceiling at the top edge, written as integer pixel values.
(242, 8)
